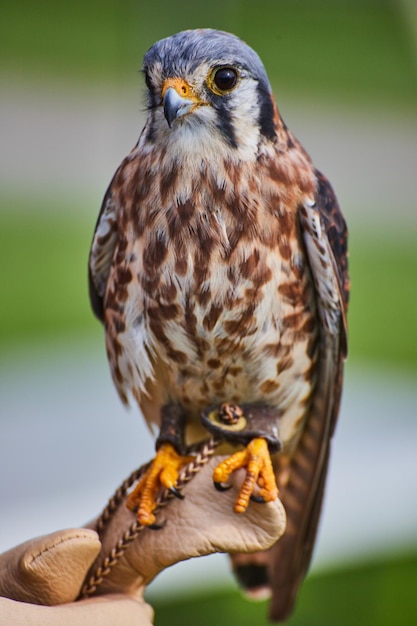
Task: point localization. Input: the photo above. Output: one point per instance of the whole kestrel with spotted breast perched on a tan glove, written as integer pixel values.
(219, 269)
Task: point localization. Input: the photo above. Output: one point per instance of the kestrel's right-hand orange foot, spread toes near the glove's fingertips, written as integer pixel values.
(260, 475)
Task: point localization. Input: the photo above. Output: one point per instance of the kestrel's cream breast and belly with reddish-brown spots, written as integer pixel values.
(210, 296)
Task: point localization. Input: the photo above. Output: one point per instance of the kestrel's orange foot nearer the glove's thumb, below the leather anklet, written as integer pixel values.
(163, 472)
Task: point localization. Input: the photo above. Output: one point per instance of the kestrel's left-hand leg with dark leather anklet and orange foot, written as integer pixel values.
(164, 469)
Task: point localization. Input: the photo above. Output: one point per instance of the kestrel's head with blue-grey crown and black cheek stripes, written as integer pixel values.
(207, 86)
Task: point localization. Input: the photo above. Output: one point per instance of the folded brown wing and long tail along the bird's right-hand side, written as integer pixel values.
(325, 237)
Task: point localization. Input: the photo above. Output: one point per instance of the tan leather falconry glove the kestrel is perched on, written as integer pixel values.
(51, 570)
